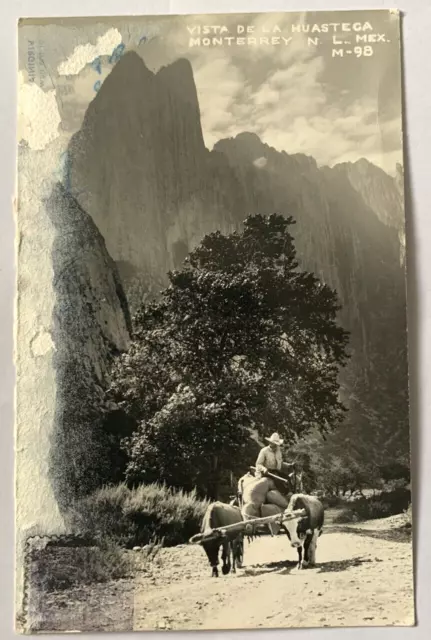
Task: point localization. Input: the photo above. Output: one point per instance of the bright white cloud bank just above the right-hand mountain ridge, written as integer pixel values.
(293, 112)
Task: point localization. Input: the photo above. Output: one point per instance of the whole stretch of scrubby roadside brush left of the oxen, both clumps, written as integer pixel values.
(106, 523)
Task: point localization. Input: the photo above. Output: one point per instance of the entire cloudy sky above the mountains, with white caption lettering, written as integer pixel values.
(295, 94)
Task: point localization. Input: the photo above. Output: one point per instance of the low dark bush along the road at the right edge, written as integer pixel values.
(382, 506)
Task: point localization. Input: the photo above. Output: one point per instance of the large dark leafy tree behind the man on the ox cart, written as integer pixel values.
(240, 340)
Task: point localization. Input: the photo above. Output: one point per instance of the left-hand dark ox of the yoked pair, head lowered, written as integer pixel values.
(219, 515)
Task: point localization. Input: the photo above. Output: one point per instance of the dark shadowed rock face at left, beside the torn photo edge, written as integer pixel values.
(91, 324)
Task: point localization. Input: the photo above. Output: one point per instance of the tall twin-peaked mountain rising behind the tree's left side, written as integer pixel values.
(139, 167)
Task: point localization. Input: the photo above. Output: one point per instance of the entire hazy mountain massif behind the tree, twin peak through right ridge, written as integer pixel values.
(139, 167)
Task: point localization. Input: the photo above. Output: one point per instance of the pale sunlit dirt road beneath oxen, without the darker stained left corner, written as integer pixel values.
(359, 580)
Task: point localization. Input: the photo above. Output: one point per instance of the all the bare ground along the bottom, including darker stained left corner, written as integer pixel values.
(363, 577)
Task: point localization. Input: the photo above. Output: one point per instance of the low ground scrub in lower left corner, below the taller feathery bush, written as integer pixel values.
(56, 567)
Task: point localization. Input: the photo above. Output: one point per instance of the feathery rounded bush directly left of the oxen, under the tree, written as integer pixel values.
(137, 517)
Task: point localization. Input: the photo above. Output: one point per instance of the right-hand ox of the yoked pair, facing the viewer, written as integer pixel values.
(303, 532)
